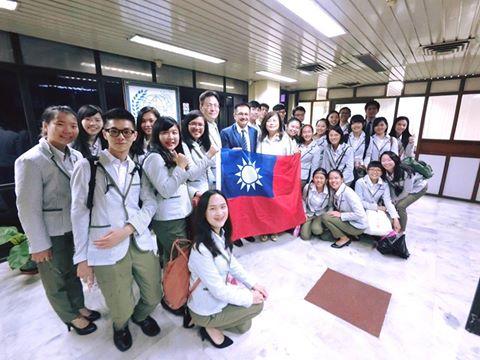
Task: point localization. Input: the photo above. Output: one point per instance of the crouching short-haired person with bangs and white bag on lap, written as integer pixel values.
(375, 193)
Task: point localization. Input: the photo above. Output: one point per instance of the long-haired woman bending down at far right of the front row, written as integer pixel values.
(406, 186)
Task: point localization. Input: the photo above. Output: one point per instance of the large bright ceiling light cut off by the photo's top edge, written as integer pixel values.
(313, 14)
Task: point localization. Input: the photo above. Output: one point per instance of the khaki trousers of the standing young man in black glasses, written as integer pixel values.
(116, 283)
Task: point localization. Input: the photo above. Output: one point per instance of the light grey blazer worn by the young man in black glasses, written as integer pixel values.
(112, 209)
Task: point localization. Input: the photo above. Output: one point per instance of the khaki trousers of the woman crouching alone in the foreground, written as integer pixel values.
(236, 319)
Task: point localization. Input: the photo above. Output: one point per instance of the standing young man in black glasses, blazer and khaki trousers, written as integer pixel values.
(112, 240)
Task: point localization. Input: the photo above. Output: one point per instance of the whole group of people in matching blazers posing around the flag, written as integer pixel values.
(98, 185)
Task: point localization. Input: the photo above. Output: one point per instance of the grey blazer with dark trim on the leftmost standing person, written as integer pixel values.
(42, 186)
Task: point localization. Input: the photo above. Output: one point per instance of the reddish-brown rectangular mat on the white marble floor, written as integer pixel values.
(358, 303)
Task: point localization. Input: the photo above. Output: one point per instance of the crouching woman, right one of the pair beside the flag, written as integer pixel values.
(348, 217)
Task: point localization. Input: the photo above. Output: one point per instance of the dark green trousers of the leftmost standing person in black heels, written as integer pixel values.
(59, 277)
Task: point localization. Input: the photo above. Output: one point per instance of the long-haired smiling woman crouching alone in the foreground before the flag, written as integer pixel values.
(218, 303)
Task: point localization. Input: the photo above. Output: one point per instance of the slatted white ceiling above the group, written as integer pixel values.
(263, 35)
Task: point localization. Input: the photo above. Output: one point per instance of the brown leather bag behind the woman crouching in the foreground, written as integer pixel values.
(176, 276)
